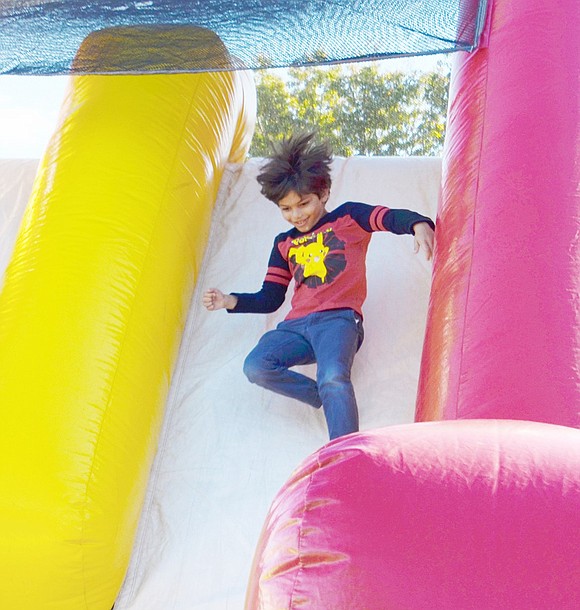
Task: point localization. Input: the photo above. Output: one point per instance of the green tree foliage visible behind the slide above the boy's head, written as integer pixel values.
(359, 109)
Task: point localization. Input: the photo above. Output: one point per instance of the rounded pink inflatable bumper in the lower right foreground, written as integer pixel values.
(455, 515)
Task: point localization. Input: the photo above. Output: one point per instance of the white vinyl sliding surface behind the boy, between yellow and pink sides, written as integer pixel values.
(226, 447)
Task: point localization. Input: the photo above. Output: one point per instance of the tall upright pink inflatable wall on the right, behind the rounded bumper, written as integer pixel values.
(503, 332)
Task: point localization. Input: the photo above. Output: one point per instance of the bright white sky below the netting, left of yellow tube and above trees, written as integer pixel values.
(29, 107)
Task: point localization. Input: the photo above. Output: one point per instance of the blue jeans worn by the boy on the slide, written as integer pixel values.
(329, 338)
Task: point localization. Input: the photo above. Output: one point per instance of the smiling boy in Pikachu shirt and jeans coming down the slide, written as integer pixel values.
(325, 254)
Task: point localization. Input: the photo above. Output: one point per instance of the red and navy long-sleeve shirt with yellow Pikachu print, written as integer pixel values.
(328, 263)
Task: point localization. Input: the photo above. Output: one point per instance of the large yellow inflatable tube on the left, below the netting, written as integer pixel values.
(91, 313)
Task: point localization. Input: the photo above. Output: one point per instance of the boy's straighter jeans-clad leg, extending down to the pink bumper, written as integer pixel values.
(336, 337)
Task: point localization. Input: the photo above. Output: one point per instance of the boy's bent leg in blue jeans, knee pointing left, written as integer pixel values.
(268, 363)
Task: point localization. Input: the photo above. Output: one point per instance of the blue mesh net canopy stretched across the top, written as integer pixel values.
(50, 36)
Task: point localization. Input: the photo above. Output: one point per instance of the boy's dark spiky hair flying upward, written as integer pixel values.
(297, 163)
